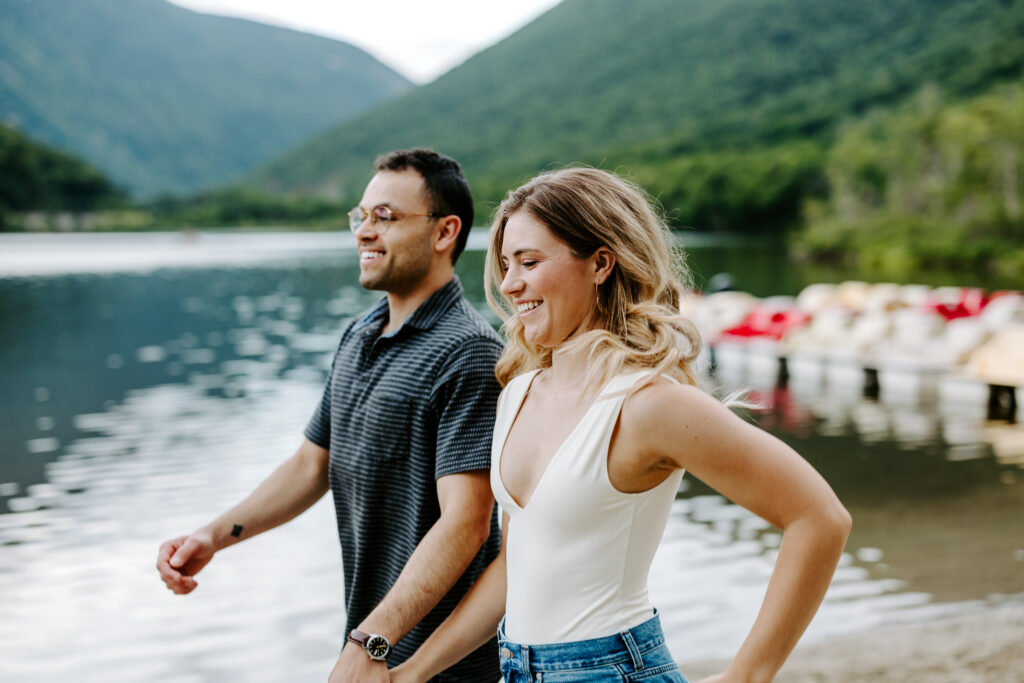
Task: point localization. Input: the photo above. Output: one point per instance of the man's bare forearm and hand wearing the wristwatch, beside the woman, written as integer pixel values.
(436, 566)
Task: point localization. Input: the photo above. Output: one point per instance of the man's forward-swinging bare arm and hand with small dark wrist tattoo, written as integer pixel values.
(290, 490)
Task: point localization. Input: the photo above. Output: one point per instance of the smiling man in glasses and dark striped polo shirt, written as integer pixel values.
(402, 437)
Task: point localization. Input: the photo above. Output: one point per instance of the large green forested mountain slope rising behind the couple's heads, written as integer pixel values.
(643, 86)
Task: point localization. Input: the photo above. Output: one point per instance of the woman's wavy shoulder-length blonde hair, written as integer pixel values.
(637, 316)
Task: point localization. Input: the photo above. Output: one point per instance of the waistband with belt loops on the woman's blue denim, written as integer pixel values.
(625, 647)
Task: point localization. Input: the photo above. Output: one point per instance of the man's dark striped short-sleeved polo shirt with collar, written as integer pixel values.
(399, 412)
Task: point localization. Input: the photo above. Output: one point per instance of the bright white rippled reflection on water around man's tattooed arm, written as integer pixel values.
(77, 566)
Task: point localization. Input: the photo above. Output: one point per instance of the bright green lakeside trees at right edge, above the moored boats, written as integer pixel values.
(932, 183)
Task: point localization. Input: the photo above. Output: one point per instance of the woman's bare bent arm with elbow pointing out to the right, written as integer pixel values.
(675, 426)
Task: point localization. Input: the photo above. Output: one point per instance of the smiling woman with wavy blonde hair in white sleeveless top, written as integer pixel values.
(600, 418)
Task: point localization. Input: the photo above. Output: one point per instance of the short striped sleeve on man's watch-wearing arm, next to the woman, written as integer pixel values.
(466, 400)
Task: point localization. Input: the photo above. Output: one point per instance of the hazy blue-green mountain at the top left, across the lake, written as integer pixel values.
(166, 100)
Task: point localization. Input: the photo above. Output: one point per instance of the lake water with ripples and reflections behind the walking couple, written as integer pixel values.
(150, 381)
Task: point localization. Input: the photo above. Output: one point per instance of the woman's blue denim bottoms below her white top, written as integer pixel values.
(637, 655)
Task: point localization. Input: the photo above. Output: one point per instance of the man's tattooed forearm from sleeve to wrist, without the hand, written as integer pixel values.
(290, 490)
